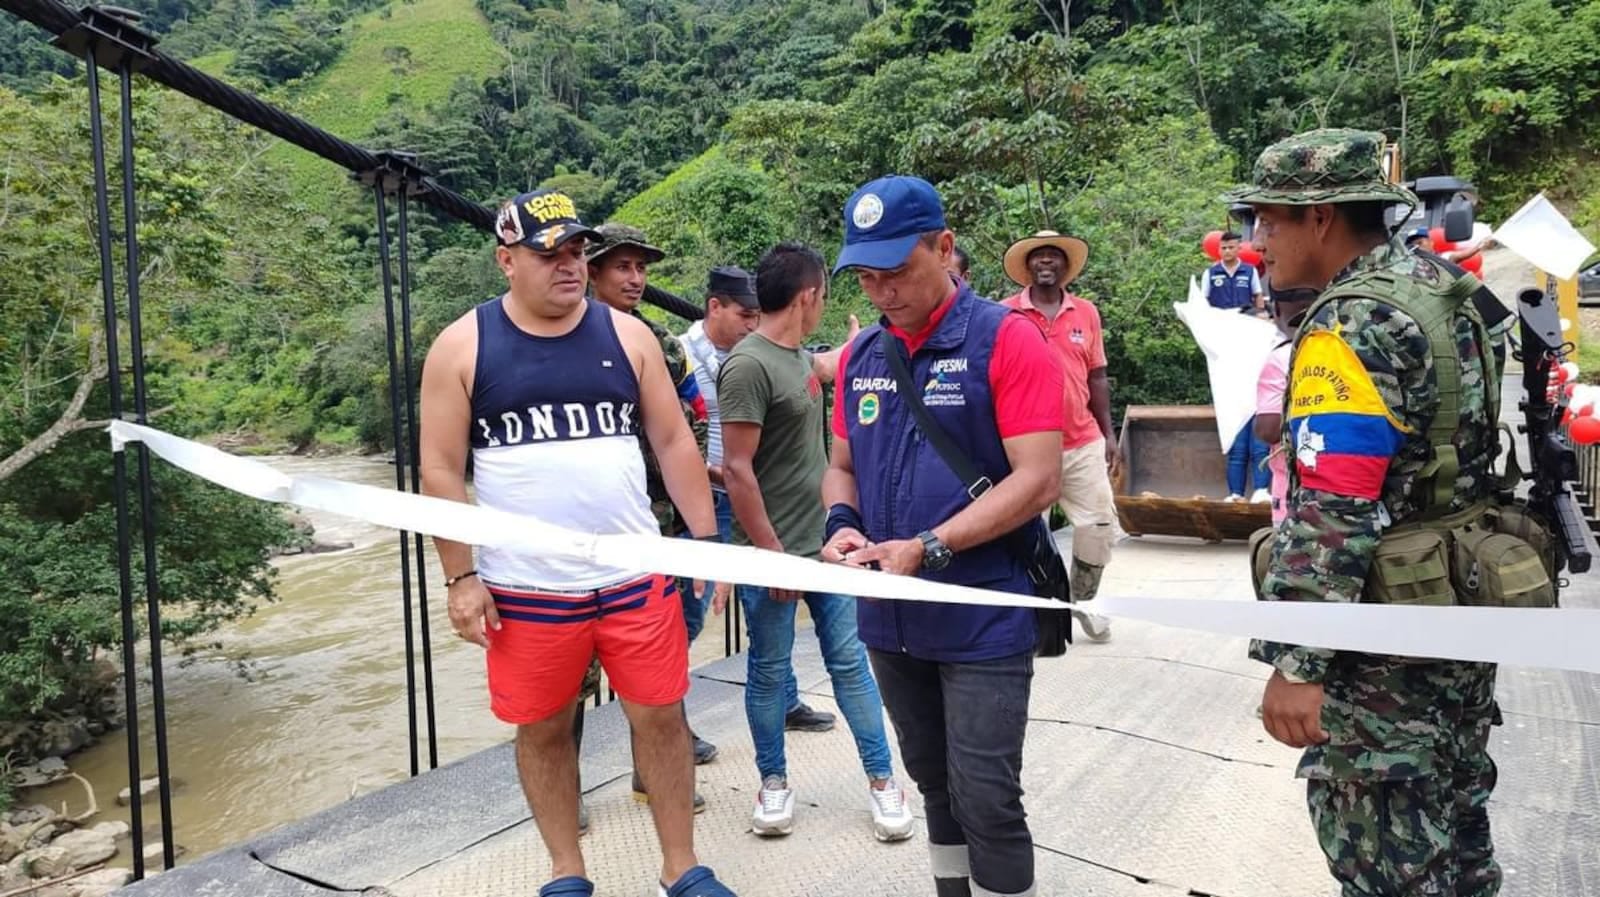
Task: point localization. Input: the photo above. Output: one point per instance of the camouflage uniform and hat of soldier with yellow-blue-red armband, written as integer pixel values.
(1399, 792)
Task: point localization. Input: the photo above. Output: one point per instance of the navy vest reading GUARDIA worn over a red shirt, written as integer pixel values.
(905, 487)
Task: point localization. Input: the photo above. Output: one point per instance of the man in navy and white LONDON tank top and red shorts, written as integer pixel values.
(550, 393)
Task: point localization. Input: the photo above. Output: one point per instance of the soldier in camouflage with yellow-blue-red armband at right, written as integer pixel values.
(1391, 418)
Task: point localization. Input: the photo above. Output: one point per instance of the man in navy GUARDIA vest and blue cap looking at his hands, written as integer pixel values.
(954, 679)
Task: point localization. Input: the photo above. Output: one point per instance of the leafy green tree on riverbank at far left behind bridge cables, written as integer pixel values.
(58, 600)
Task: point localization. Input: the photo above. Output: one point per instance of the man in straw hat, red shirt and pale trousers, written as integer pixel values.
(1044, 266)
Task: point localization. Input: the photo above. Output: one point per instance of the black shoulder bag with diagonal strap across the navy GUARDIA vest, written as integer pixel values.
(1031, 543)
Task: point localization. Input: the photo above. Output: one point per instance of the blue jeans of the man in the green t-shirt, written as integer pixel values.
(772, 628)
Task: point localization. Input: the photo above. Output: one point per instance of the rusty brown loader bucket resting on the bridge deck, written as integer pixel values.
(1172, 477)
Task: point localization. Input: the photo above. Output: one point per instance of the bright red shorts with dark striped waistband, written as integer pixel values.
(538, 658)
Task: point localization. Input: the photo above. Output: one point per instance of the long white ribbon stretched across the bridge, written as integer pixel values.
(1554, 639)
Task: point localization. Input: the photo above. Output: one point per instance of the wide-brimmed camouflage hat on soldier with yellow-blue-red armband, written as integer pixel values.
(1334, 165)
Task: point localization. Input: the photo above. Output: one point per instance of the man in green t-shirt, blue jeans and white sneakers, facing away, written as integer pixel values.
(774, 460)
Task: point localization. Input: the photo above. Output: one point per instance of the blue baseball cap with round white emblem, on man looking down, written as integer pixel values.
(884, 221)
